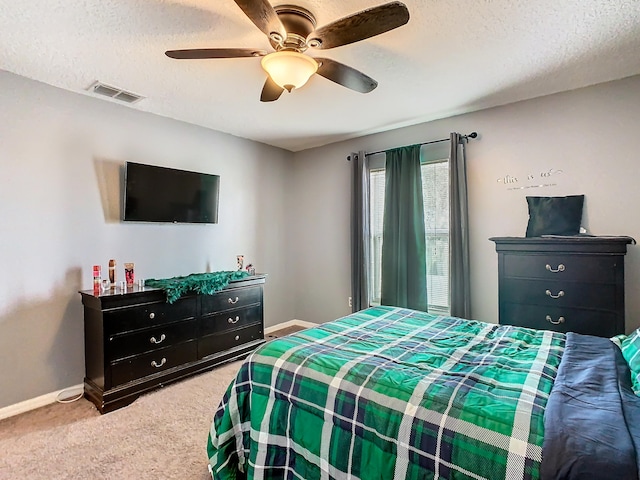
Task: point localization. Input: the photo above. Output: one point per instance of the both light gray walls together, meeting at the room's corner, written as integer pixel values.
(61, 155)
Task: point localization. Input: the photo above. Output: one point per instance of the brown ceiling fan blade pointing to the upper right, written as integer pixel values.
(356, 27)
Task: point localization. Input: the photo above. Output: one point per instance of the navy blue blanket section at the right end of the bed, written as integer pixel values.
(592, 419)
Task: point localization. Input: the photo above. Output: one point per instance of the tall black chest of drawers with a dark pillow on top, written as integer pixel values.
(565, 284)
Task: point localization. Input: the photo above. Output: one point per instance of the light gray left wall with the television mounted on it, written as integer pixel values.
(60, 160)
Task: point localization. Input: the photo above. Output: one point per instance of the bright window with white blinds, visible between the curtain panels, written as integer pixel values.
(435, 193)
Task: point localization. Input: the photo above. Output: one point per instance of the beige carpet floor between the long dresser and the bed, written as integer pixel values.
(162, 435)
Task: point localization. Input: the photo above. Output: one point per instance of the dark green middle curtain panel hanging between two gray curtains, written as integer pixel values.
(404, 266)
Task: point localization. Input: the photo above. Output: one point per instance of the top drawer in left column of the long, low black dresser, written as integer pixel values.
(148, 315)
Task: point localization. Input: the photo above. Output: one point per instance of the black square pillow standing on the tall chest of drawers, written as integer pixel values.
(554, 215)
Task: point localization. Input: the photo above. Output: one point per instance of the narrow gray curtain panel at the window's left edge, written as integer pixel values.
(359, 232)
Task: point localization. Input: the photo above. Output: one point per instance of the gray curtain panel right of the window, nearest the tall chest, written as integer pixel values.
(459, 271)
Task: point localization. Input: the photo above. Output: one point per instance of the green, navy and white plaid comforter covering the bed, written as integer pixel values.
(389, 393)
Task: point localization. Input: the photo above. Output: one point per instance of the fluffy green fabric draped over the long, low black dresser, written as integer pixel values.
(203, 283)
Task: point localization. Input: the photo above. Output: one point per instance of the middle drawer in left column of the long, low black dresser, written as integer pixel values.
(148, 340)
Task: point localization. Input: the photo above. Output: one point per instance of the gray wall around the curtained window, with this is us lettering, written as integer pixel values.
(589, 134)
